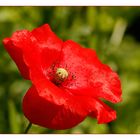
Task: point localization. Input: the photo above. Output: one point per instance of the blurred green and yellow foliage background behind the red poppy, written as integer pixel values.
(114, 32)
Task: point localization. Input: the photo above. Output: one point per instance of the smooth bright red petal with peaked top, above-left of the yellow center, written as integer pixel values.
(49, 43)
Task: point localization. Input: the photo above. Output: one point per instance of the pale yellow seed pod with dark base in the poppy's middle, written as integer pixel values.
(61, 75)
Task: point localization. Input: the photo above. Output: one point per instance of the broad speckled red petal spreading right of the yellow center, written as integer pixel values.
(91, 76)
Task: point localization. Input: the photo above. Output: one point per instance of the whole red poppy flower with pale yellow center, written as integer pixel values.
(67, 79)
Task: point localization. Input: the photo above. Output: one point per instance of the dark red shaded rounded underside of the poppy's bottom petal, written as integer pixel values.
(42, 112)
